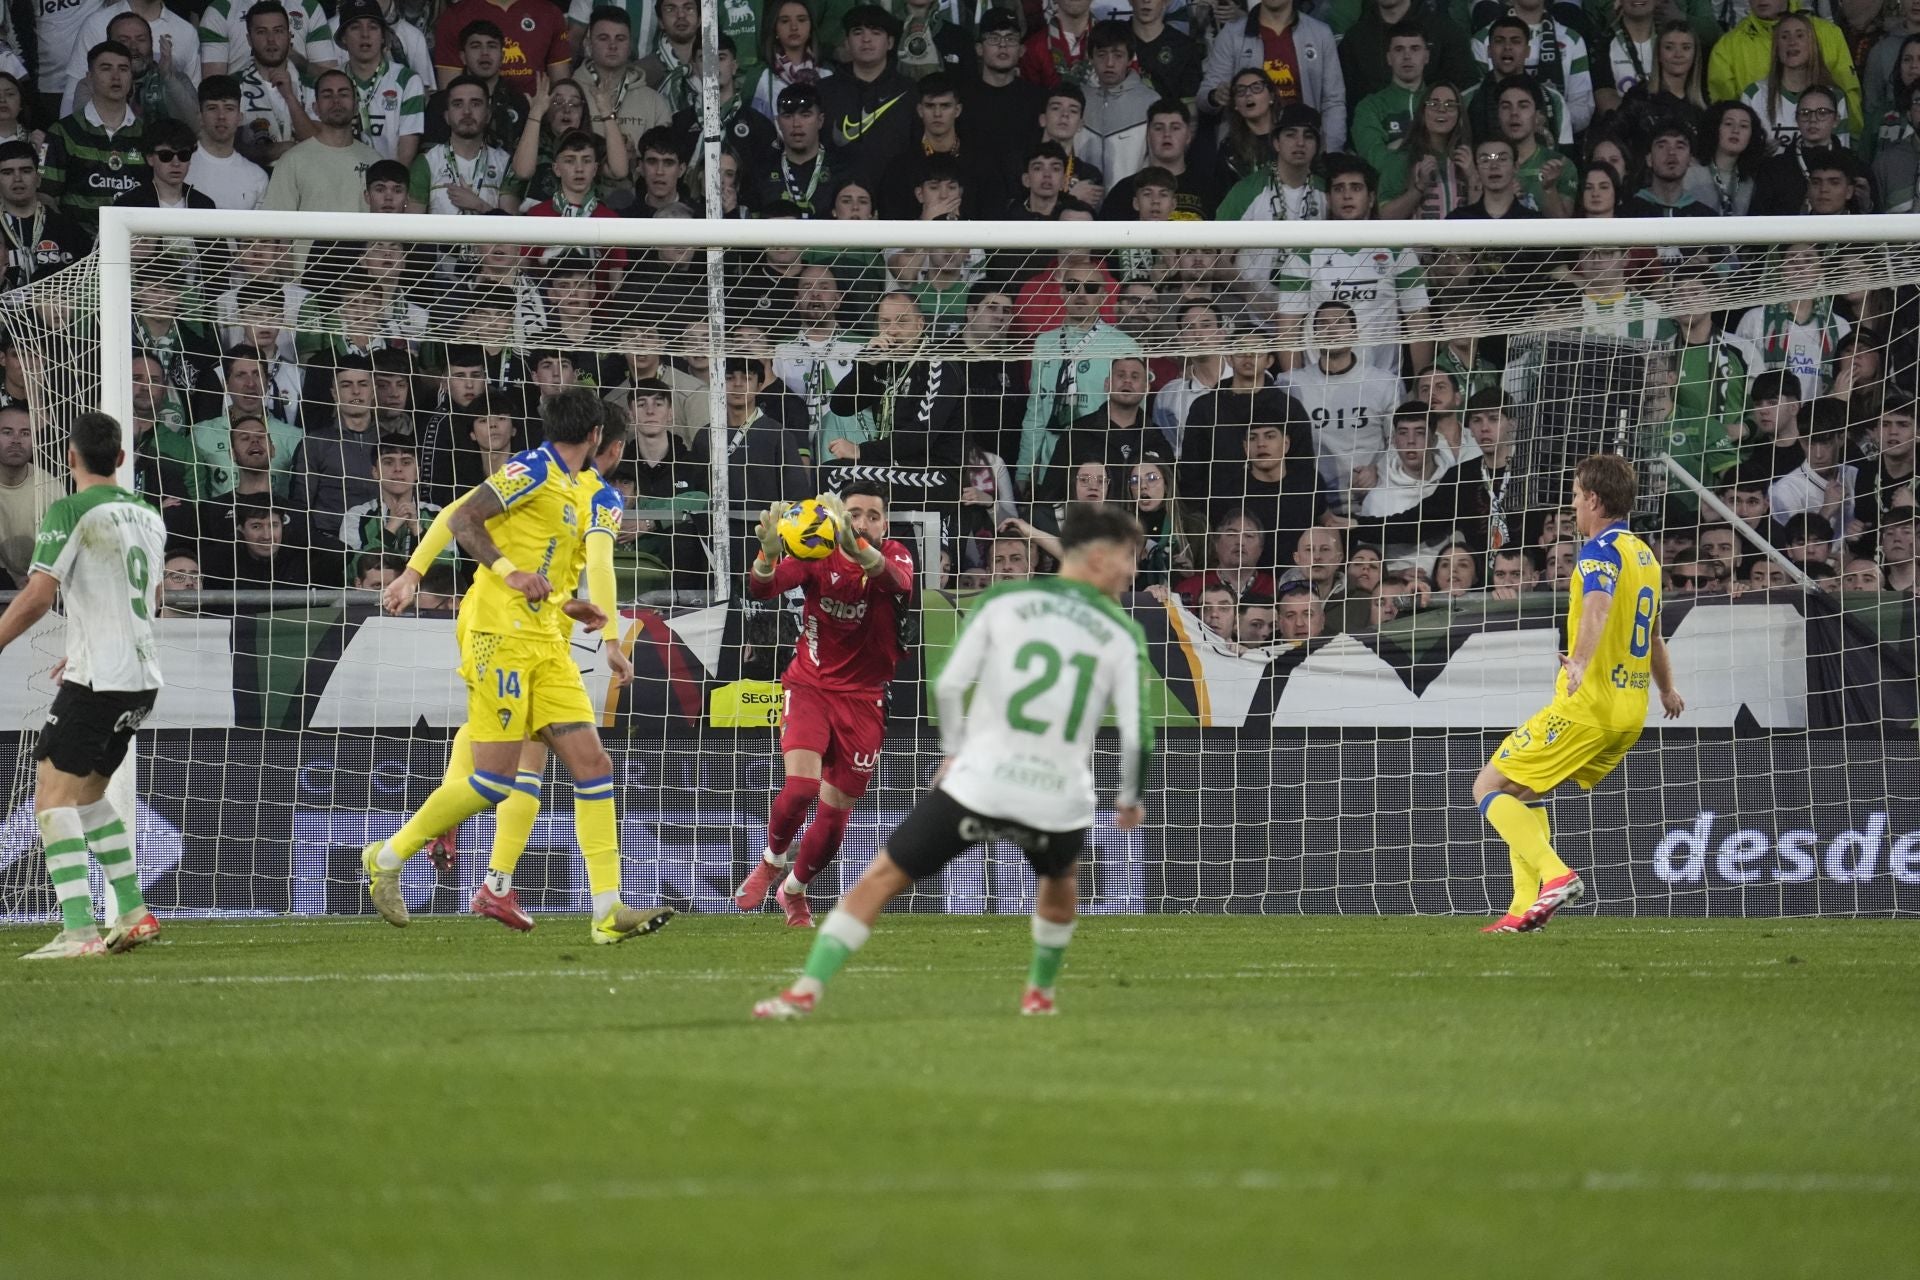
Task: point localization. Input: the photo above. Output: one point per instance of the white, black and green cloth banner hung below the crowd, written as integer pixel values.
(1781, 665)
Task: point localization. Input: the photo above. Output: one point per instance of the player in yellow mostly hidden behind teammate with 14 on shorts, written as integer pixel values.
(516, 817)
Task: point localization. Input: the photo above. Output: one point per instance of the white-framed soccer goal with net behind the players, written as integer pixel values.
(1351, 446)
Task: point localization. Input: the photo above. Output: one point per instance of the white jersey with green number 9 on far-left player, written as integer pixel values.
(107, 548)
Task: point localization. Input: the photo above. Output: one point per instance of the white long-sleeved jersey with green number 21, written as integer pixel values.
(1047, 659)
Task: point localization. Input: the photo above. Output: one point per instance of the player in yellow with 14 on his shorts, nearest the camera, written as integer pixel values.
(529, 527)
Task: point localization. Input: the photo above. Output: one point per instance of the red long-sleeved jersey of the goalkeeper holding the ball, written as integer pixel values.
(852, 623)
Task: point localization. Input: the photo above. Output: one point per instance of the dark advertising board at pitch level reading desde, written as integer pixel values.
(1307, 824)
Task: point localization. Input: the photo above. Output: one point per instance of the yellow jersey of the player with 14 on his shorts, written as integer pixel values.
(542, 531)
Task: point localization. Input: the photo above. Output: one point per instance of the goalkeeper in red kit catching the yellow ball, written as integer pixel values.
(836, 686)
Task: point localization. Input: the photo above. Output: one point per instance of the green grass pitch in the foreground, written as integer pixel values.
(1220, 1099)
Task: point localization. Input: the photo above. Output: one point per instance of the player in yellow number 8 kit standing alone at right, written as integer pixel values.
(1600, 699)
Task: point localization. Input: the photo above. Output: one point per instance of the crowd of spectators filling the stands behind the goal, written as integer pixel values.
(1301, 469)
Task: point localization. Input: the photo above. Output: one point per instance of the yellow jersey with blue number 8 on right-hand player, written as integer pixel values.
(1616, 690)
